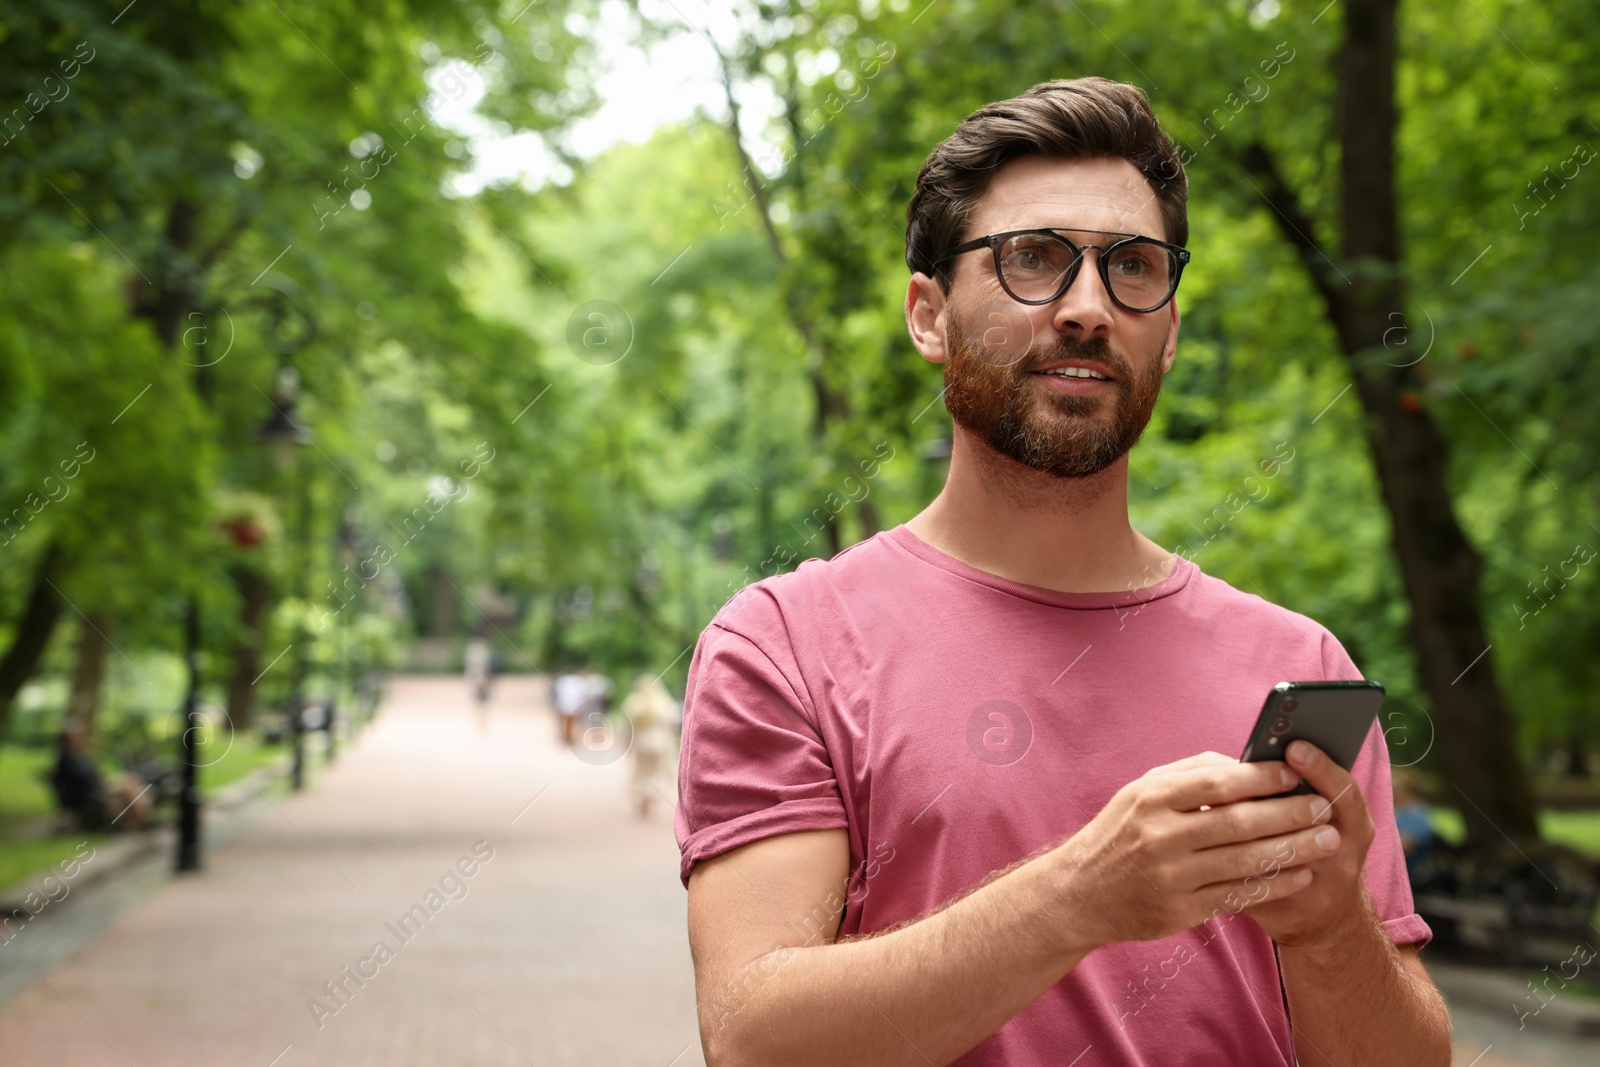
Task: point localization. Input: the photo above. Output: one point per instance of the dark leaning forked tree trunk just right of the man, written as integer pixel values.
(1366, 303)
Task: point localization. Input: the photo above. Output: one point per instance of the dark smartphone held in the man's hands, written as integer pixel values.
(1334, 716)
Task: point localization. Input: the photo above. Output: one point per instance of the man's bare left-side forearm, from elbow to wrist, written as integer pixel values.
(903, 997)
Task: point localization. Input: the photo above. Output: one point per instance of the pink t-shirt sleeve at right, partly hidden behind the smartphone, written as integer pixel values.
(1385, 873)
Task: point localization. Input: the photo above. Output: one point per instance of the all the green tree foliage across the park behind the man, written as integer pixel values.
(614, 505)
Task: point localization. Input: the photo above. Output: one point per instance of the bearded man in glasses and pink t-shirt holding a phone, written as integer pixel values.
(966, 794)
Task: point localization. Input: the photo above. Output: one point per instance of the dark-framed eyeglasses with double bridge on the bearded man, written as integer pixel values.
(1038, 266)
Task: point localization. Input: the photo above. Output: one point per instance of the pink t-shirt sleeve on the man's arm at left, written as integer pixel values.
(754, 762)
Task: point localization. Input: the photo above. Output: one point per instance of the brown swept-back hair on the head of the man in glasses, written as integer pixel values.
(1076, 119)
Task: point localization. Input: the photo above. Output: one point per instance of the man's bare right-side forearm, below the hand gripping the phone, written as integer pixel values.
(1354, 1002)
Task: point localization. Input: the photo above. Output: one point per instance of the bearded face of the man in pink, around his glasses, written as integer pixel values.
(1004, 361)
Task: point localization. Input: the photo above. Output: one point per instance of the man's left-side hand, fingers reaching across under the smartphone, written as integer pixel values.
(1199, 837)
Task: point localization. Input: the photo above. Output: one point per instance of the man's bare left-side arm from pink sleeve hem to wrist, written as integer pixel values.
(775, 988)
